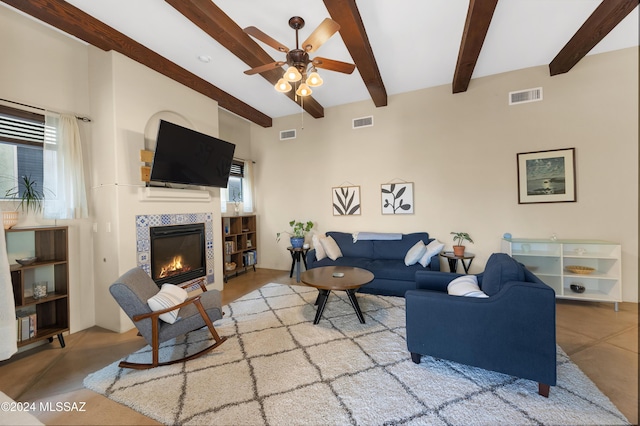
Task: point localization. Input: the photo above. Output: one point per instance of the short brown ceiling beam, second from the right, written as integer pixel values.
(479, 17)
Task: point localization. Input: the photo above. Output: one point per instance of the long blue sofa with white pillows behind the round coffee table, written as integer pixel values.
(384, 258)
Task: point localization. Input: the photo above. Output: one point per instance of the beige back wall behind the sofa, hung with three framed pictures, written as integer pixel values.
(460, 152)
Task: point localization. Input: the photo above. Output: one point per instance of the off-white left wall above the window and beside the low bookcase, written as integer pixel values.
(46, 69)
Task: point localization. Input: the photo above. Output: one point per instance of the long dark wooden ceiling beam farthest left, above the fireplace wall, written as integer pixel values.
(74, 21)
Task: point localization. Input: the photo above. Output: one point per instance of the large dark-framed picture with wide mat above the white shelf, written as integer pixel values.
(547, 176)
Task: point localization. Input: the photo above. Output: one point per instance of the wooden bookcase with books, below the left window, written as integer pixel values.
(50, 246)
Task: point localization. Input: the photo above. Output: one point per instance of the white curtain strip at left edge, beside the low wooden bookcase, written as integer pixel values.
(8, 335)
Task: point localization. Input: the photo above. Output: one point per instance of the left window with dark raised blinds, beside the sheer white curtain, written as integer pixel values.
(21, 147)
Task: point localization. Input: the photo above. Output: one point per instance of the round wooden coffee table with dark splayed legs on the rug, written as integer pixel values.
(327, 279)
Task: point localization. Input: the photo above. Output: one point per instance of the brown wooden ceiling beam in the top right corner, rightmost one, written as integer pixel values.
(605, 18)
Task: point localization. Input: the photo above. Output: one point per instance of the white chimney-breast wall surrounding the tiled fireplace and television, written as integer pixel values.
(128, 95)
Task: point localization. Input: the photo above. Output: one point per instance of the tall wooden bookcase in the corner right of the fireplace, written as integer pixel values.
(239, 244)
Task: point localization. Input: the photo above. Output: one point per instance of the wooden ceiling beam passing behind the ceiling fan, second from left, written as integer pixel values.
(217, 24)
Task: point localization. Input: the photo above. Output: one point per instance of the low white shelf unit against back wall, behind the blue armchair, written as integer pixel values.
(548, 260)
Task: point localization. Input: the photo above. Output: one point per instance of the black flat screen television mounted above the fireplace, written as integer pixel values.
(184, 156)
